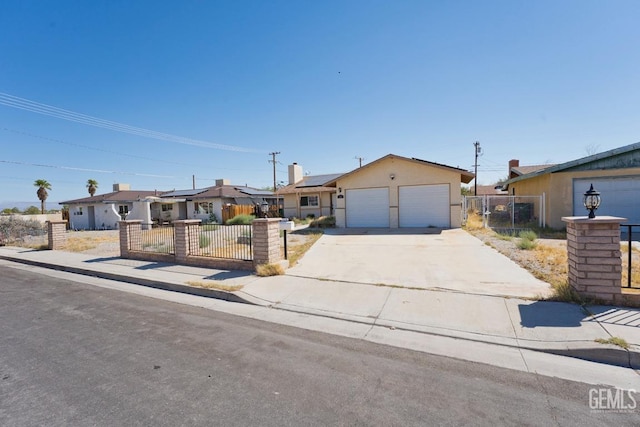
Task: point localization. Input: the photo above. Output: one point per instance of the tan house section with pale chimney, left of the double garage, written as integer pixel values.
(307, 195)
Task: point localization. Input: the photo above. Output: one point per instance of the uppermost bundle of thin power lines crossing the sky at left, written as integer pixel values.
(51, 111)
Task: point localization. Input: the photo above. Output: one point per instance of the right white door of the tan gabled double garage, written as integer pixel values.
(424, 206)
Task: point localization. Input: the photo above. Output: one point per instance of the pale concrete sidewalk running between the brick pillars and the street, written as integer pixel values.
(512, 323)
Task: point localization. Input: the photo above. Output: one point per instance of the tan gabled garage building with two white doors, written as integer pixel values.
(396, 191)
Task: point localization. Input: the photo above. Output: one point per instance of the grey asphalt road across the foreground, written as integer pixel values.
(75, 354)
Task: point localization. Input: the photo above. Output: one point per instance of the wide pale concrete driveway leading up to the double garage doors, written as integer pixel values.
(417, 258)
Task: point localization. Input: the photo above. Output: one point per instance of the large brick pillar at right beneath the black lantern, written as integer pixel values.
(595, 263)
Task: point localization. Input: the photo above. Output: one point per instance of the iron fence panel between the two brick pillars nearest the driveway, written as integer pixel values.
(224, 241)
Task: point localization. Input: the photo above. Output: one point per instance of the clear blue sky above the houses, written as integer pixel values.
(322, 82)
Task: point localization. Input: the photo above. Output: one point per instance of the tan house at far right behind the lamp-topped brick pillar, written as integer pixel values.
(615, 173)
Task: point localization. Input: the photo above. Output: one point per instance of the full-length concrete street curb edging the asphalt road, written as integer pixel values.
(599, 353)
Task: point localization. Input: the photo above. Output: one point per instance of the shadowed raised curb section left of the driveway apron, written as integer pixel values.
(174, 287)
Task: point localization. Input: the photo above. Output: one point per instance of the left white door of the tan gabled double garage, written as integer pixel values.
(368, 207)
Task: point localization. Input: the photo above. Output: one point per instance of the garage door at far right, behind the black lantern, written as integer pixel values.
(619, 196)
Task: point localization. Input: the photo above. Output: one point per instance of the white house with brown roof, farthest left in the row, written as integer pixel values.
(105, 210)
